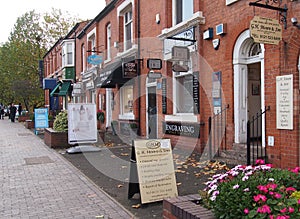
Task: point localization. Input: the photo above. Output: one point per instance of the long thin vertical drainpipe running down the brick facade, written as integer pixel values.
(139, 61)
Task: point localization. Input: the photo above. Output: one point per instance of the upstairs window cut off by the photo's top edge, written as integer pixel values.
(182, 10)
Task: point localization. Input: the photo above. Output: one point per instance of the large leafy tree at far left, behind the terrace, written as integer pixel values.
(31, 37)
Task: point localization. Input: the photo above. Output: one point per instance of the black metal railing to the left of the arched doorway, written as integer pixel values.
(217, 132)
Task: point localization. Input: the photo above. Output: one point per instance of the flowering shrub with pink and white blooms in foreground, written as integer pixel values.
(254, 192)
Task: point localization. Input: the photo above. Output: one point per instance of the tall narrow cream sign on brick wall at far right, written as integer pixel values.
(284, 102)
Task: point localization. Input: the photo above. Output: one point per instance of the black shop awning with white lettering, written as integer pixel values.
(111, 75)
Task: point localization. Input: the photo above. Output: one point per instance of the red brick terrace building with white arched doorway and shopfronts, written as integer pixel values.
(193, 71)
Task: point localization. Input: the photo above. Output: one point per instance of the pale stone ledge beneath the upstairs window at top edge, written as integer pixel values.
(196, 19)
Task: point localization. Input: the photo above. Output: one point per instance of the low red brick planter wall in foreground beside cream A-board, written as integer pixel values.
(185, 207)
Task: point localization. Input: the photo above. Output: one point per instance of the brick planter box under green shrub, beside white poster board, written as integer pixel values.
(56, 139)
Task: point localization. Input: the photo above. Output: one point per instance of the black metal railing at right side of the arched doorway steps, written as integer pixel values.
(256, 148)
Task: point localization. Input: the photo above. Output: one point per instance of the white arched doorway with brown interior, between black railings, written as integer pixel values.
(248, 62)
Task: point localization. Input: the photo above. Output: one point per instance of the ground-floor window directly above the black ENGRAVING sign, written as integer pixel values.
(184, 93)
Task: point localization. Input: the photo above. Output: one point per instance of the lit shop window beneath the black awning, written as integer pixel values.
(126, 99)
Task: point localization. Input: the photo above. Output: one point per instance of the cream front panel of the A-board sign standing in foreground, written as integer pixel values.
(155, 169)
